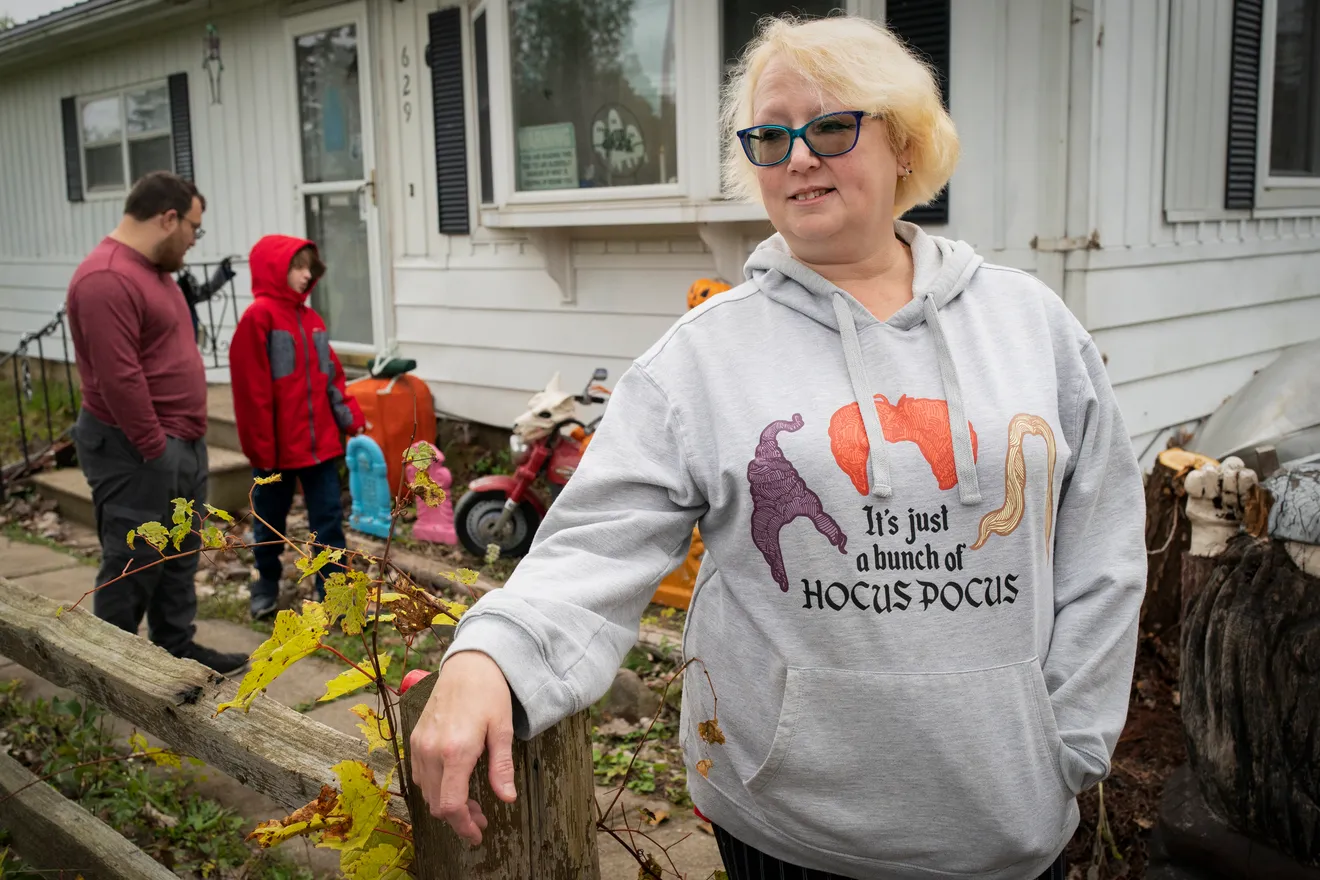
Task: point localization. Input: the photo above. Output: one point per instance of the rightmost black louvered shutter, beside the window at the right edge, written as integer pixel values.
(1244, 94)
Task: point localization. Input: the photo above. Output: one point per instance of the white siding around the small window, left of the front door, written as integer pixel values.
(244, 154)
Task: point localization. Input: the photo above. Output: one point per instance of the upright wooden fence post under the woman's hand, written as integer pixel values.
(547, 834)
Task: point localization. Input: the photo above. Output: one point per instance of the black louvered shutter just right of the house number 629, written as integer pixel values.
(445, 57)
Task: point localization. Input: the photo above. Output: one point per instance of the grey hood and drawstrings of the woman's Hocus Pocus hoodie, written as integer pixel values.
(942, 271)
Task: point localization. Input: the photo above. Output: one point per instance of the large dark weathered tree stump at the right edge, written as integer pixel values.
(1251, 666)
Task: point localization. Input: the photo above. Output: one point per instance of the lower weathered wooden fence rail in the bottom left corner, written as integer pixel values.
(55, 834)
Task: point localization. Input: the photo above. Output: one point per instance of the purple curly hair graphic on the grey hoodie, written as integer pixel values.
(779, 495)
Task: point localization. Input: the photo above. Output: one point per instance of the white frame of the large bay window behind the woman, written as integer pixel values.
(696, 197)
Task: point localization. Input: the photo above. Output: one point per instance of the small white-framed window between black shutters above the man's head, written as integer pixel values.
(126, 137)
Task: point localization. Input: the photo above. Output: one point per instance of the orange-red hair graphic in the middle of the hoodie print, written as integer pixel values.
(918, 420)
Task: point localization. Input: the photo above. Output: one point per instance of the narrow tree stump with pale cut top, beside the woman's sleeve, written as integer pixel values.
(1169, 535)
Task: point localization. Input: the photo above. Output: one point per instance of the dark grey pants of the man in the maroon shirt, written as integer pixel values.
(126, 493)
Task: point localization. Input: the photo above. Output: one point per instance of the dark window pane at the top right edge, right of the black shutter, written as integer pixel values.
(1296, 127)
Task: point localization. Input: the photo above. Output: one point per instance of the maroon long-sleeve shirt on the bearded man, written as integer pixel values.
(138, 358)
